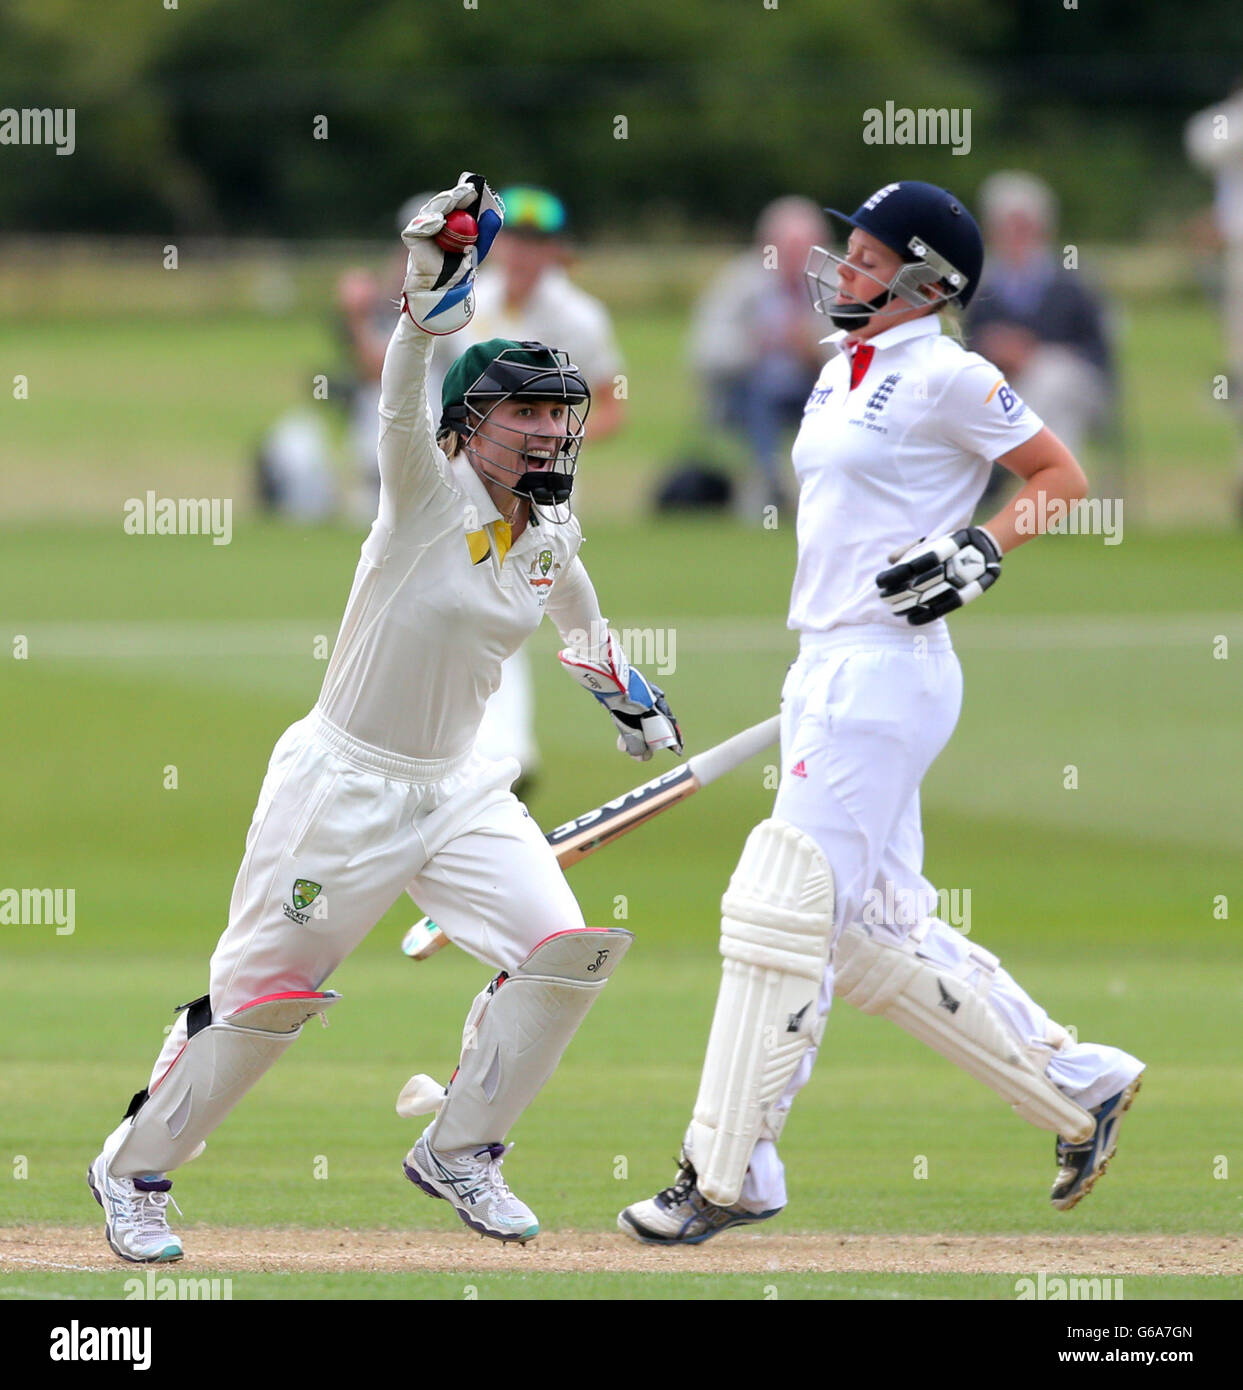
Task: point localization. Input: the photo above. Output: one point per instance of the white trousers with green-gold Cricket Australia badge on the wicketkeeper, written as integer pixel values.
(341, 831)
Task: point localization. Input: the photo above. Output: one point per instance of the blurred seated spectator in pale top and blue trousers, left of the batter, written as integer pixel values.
(756, 338)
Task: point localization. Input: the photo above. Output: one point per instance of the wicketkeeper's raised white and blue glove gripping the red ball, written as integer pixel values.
(440, 286)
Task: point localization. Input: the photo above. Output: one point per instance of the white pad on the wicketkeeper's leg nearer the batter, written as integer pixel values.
(518, 1031)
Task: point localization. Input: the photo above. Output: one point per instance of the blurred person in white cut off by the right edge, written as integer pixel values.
(1214, 141)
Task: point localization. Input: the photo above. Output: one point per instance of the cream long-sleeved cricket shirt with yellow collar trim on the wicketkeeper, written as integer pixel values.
(440, 597)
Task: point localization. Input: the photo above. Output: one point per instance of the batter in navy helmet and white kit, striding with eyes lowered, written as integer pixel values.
(829, 896)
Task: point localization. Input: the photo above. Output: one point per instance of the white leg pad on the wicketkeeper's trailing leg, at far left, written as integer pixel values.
(222, 1060)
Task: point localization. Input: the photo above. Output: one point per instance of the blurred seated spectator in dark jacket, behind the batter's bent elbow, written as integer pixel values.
(1035, 319)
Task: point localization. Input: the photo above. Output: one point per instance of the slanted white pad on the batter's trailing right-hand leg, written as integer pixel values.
(943, 1010)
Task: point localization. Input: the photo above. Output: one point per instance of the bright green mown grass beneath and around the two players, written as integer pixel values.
(148, 653)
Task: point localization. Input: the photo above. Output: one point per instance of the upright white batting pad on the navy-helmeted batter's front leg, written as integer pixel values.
(777, 935)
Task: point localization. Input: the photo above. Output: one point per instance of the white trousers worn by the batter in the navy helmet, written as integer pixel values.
(866, 712)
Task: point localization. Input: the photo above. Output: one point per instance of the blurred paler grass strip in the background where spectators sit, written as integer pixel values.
(120, 405)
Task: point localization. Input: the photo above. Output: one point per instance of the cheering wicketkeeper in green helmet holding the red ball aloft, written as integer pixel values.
(382, 789)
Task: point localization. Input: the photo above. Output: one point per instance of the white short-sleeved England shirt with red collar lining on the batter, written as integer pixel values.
(902, 454)
